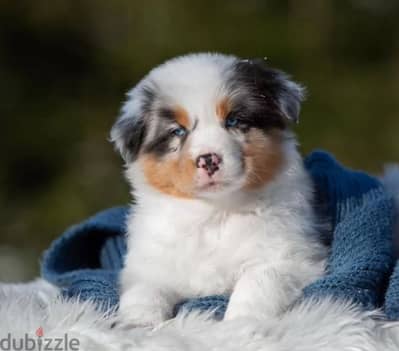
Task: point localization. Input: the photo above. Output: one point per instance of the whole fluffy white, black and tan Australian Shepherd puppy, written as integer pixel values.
(224, 205)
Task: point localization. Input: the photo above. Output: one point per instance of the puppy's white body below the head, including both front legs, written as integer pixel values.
(179, 249)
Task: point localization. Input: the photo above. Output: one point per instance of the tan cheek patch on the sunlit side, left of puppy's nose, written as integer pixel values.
(171, 176)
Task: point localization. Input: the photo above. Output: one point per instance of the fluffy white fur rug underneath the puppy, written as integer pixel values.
(310, 326)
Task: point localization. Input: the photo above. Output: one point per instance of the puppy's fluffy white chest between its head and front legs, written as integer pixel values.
(198, 251)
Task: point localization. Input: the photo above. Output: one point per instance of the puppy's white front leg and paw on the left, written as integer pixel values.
(145, 305)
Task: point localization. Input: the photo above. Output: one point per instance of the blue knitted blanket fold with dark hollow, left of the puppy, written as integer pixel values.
(85, 261)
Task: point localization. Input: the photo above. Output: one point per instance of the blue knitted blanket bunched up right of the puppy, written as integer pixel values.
(361, 248)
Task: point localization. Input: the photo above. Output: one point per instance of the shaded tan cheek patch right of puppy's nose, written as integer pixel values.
(263, 157)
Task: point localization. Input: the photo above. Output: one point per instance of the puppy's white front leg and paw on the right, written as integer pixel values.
(264, 292)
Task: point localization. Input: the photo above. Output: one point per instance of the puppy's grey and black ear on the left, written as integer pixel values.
(129, 131)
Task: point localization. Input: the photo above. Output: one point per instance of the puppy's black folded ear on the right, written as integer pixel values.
(275, 84)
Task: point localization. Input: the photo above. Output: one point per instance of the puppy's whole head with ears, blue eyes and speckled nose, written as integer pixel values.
(200, 126)
